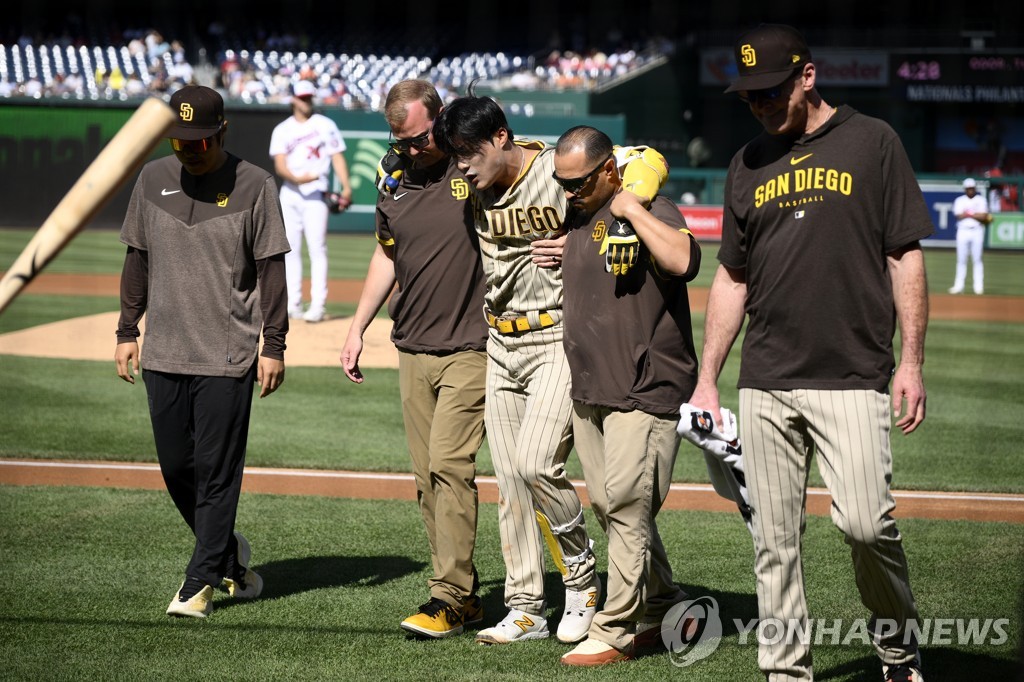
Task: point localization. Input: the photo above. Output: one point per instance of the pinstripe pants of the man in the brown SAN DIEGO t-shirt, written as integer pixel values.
(849, 432)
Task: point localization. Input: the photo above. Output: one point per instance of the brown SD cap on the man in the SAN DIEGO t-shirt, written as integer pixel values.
(767, 57)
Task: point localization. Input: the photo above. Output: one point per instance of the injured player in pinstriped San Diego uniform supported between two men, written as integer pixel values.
(519, 211)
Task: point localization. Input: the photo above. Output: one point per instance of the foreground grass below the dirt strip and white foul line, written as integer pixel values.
(81, 601)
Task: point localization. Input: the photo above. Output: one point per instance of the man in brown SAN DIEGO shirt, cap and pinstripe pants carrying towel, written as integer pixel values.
(821, 248)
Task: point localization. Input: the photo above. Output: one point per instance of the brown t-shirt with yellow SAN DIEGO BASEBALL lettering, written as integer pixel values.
(812, 222)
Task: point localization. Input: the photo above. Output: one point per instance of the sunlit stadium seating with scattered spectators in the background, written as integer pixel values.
(145, 63)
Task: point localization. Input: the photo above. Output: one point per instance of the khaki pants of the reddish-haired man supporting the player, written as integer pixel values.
(443, 407)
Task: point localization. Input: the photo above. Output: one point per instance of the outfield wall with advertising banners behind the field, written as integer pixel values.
(47, 146)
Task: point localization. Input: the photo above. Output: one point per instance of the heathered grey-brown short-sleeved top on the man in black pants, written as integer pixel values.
(203, 236)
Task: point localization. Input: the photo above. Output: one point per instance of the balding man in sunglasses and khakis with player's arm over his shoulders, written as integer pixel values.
(625, 413)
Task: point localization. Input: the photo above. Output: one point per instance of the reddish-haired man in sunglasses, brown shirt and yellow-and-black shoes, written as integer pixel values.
(428, 245)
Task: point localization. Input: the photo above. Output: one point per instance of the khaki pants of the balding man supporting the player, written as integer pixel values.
(627, 459)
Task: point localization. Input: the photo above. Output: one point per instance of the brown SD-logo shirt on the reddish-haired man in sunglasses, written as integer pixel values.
(429, 221)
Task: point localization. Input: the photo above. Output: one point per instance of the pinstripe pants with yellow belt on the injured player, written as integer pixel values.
(528, 415)
